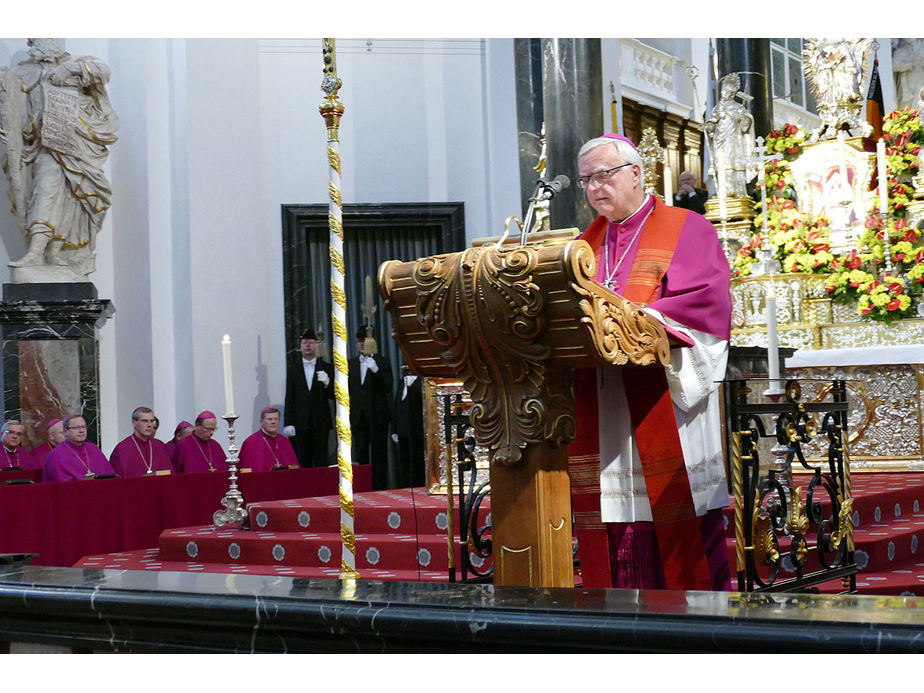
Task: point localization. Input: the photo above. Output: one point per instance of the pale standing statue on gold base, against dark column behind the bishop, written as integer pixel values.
(730, 134)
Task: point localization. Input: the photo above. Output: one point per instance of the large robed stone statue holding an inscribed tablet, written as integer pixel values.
(57, 124)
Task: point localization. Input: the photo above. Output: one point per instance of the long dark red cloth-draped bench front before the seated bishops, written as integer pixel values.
(64, 521)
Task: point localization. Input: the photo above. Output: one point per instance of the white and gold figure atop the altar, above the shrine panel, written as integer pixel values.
(834, 68)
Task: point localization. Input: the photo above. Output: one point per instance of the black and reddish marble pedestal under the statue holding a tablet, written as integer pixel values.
(51, 354)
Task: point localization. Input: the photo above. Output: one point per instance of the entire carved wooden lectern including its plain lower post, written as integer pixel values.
(513, 322)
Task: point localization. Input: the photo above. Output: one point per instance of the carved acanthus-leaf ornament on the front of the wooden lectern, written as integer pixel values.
(484, 309)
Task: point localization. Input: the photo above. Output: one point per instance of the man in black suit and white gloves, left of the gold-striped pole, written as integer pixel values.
(309, 391)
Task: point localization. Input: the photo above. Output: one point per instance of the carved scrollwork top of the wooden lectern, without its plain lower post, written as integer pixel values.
(512, 322)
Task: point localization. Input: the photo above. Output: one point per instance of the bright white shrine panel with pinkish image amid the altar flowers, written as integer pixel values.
(832, 179)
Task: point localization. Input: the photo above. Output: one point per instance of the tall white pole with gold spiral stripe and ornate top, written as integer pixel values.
(332, 110)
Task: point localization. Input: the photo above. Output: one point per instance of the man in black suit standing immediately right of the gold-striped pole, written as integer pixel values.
(370, 382)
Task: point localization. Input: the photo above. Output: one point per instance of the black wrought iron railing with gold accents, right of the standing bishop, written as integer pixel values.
(793, 517)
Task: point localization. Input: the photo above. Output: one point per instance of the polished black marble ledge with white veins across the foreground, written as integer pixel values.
(151, 611)
